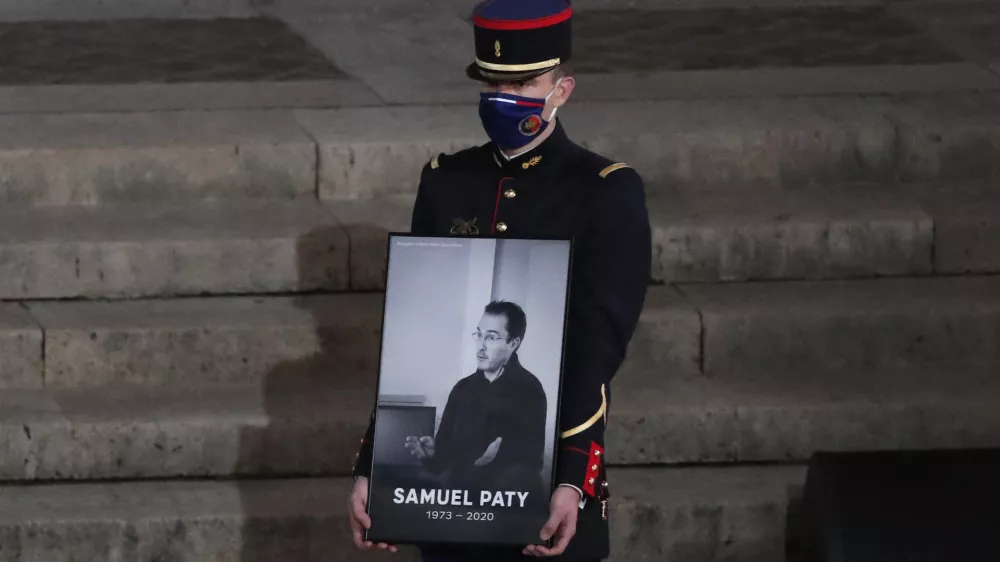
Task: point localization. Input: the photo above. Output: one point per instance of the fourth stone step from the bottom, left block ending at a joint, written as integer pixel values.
(123, 250)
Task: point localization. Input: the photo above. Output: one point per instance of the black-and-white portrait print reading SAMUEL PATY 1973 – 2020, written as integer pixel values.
(468, 390)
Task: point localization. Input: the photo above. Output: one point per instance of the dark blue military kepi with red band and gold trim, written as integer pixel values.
(519, 39)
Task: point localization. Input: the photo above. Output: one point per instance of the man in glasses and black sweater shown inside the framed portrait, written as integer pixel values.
(492, 430)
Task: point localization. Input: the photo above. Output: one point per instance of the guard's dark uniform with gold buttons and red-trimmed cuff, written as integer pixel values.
(558, 190)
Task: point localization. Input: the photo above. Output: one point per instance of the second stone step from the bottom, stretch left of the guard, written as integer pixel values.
(127, 432)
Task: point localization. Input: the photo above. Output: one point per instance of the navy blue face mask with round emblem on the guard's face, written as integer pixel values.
(513, 121)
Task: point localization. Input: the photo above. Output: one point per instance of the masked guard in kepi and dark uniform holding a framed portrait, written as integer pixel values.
(532, 181)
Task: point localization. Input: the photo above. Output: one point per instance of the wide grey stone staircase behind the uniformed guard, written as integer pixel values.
(191, 277)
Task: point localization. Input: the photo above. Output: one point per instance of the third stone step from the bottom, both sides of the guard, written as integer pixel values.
(732, 331)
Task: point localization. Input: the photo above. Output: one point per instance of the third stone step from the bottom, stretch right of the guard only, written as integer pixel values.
(817, 330)
